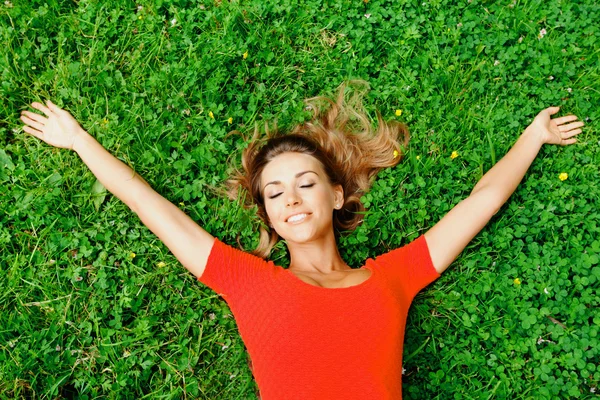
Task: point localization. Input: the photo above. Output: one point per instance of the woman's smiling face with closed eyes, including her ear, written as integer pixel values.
(298, 197)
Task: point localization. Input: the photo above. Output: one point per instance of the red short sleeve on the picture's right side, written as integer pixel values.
(410, 265)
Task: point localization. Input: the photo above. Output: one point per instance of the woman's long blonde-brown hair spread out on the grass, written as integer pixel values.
(342, 138)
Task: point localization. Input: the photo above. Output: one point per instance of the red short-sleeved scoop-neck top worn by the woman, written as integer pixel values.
(308, 342)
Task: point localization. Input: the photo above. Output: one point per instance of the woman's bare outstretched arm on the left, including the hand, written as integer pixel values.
(187, 240)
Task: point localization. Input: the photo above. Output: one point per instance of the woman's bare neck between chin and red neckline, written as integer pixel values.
(316, 257)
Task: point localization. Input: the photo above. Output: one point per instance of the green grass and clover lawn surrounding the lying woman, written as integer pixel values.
(80, 316)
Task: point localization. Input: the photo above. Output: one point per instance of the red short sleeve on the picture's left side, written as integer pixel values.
(232, 273)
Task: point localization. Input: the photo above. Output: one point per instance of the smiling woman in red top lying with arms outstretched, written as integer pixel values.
(319, 329)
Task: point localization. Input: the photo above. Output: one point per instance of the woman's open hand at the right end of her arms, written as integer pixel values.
(555, 131)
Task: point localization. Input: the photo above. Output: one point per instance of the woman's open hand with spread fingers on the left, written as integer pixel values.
(59, 129)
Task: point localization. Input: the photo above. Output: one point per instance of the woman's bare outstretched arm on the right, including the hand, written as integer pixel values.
(452, 233)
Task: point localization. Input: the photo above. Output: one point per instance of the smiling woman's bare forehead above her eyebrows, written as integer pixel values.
(286, 165)
